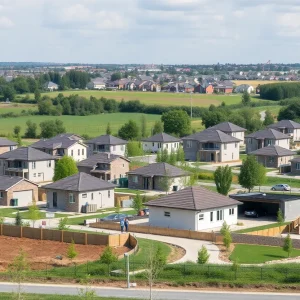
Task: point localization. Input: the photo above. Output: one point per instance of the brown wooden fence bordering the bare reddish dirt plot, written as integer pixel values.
(65, 236)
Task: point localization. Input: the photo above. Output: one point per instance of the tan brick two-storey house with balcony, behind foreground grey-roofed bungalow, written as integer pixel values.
(106, 166)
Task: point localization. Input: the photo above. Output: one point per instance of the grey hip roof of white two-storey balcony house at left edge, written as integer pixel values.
(26, 154)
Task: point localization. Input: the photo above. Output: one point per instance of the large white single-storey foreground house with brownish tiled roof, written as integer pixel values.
(193, 208)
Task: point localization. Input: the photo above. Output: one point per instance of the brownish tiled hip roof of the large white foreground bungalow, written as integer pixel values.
(193, 198)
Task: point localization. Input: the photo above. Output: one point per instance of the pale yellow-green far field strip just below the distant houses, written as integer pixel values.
(166, 99)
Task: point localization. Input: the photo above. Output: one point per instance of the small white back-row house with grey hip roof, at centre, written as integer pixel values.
(160, 142)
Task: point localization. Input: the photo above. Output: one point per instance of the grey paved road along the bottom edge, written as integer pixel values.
(144, 293)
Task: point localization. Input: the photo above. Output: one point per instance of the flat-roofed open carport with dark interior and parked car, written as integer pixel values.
(270, 203)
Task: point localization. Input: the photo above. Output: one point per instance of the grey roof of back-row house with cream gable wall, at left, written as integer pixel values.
(63, 141)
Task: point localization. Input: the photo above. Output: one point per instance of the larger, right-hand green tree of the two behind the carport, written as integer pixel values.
(251, 173)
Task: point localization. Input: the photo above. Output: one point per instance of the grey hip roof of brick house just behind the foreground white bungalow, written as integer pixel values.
(159, 169)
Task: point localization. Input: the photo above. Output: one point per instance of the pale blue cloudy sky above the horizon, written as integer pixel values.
(150, 31)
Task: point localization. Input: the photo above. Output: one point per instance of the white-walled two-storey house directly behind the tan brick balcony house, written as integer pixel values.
(107, 143)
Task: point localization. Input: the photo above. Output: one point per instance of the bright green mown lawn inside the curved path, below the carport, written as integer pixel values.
(255, 254)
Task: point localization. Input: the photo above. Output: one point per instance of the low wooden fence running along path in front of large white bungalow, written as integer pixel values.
(189, 234)
